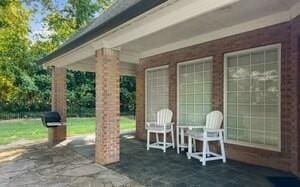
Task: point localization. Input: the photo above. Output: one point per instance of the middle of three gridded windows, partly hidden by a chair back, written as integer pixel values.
(194, 91)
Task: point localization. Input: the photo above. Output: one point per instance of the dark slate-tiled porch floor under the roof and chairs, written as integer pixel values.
(154, 168)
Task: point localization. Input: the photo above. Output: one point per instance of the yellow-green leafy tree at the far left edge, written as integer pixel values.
(14, 47)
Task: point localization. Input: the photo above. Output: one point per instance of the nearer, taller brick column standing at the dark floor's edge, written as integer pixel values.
(107, 106)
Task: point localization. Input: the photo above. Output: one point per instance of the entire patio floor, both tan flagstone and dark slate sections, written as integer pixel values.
(71, 164)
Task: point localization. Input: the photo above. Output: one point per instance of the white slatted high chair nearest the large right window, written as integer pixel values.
(212, 131)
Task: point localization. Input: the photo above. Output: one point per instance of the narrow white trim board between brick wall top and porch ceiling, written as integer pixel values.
(218, 34)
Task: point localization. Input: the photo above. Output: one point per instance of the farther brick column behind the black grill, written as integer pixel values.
(59, 104)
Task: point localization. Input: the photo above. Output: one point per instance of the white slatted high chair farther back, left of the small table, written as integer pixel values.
(163, 125)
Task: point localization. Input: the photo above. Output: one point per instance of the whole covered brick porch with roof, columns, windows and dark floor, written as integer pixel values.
(162, 43)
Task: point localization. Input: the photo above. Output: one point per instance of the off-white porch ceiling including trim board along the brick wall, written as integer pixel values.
(240, 17)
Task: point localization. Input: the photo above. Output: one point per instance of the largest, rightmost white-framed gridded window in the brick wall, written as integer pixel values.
(252, 97)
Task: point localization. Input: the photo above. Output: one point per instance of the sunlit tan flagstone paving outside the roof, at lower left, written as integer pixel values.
(38, 165)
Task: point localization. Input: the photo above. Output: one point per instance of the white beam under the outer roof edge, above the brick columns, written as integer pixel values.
(170, 13)
